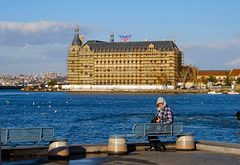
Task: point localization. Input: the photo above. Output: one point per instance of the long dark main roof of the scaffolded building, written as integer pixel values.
(167, 45)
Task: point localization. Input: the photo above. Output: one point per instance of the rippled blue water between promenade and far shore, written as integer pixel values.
(91, 118)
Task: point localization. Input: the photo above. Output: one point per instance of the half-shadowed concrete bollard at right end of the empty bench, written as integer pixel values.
(58, 149)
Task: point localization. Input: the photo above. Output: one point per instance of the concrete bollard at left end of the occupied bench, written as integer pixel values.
(117, 144)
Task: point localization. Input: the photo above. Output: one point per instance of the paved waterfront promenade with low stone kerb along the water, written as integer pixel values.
(207, 153)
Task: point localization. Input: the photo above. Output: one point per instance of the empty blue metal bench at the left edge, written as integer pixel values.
(35, 134)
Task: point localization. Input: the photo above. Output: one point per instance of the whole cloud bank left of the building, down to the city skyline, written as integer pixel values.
(37, 46)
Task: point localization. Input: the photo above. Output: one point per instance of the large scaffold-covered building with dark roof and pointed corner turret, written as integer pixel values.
(123, 63)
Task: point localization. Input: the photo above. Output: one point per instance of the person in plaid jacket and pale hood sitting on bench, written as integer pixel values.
(164, 115)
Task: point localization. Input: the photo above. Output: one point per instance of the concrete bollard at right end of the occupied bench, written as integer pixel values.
(185, 142)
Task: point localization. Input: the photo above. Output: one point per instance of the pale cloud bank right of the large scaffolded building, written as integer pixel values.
(213, 55)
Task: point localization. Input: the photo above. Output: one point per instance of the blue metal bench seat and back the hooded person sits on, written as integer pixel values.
(141, 130)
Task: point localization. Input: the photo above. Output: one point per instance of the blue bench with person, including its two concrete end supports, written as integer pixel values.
(184, 141)
